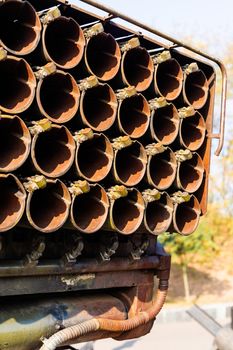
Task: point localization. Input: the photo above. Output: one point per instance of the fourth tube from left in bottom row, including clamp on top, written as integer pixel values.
(126, 209)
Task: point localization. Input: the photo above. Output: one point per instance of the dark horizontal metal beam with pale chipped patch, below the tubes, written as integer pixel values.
(38, 284)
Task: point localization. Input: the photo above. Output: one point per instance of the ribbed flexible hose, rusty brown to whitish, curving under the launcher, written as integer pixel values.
(95, 324)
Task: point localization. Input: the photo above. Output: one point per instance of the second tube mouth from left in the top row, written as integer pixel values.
(63, 42)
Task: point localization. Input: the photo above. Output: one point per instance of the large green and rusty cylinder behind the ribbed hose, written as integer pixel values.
(52, 312)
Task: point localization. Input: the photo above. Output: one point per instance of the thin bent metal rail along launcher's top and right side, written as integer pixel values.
(186, 46)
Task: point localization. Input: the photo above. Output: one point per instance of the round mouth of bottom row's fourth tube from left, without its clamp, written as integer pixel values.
(126, 213)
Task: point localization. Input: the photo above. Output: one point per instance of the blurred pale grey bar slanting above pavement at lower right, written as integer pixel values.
(204, 319)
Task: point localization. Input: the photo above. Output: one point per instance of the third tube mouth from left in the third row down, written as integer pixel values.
(94, 158)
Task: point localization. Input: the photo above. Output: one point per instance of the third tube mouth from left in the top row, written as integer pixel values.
(103, 56)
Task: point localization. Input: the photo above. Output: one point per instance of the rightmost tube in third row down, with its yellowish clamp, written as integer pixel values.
(190, 171)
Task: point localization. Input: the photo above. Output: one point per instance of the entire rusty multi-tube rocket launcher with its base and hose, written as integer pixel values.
(104, 239)
